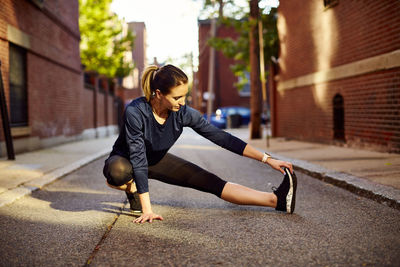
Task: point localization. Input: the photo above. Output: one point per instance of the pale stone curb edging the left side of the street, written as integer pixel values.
(35, 184)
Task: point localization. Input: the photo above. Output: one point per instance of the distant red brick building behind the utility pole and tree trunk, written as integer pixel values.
(226, 94)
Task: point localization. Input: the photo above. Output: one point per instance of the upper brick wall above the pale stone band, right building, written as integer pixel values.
(348, 32)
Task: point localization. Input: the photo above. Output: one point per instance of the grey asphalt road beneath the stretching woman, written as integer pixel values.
(78, 220)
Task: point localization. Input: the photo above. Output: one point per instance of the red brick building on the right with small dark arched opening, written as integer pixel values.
(339, 73)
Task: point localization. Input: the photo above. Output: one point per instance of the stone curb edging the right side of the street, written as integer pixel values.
(380, 193)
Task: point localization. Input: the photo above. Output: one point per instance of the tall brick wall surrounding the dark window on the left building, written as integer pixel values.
(54, 78)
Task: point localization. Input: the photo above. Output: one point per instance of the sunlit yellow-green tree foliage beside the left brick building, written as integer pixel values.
(103, 44)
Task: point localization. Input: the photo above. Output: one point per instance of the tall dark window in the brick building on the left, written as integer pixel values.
(18, 88)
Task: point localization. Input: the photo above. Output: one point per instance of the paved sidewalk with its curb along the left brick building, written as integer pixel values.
(33, 170)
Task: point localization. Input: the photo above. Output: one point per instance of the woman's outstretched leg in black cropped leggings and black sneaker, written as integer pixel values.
(174, 170)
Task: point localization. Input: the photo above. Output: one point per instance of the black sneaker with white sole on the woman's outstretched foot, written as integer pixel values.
(286, 192)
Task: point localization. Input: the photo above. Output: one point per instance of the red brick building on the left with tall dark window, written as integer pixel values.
(43, 79)
